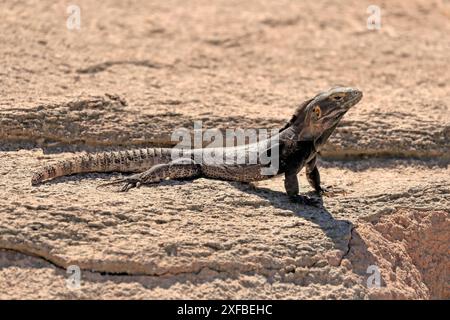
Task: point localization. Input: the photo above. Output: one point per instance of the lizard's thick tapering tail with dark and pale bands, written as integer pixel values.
(116, 161)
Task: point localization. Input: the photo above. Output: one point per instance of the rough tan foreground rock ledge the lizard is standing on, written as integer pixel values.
(220, 239)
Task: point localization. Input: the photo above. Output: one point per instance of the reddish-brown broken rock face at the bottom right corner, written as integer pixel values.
(410, 247)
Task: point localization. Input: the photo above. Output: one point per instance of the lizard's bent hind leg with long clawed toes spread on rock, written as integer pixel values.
(182, 168)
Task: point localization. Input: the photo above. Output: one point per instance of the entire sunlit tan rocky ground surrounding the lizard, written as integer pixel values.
(134, 71)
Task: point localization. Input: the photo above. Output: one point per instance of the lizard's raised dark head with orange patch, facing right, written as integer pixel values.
(322, 114)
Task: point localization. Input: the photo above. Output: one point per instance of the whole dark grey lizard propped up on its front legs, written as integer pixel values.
(296, 146)
